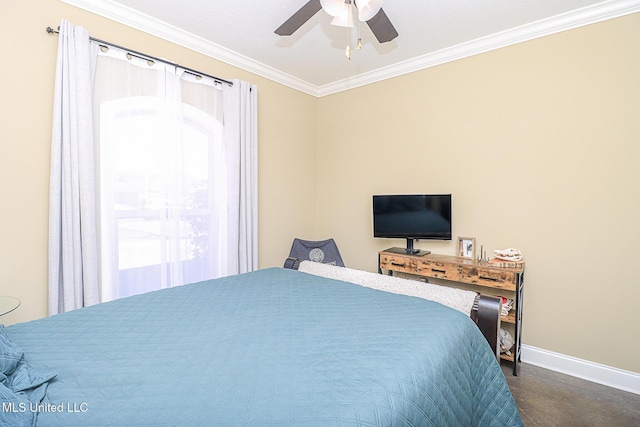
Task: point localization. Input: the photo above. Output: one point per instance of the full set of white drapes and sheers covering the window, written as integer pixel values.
(161, 190)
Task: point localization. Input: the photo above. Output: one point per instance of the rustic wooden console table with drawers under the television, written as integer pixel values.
(492, 280)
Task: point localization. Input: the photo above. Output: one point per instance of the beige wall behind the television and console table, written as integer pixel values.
(539, 145)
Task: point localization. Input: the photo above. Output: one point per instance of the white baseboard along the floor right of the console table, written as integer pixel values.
(590, 371)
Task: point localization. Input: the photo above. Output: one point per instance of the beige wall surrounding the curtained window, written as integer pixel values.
(287, 126)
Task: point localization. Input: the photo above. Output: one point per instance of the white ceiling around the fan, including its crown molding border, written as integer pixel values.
(431, 32)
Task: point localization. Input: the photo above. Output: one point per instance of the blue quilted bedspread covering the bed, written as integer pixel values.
(274, 347)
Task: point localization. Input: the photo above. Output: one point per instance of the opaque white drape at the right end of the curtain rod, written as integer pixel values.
(241, 140)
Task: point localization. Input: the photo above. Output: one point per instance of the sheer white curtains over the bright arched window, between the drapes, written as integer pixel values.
(172, 204)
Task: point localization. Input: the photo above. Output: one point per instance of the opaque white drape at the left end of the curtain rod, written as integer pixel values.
(73, 258)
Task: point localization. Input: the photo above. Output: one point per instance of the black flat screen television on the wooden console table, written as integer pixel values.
(412, 217)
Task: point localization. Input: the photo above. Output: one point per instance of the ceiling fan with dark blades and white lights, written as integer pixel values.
(369, 11)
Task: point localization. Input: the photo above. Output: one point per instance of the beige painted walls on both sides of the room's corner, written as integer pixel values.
(536, 142)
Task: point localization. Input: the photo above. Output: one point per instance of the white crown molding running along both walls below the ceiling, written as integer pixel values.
(567, 21)
